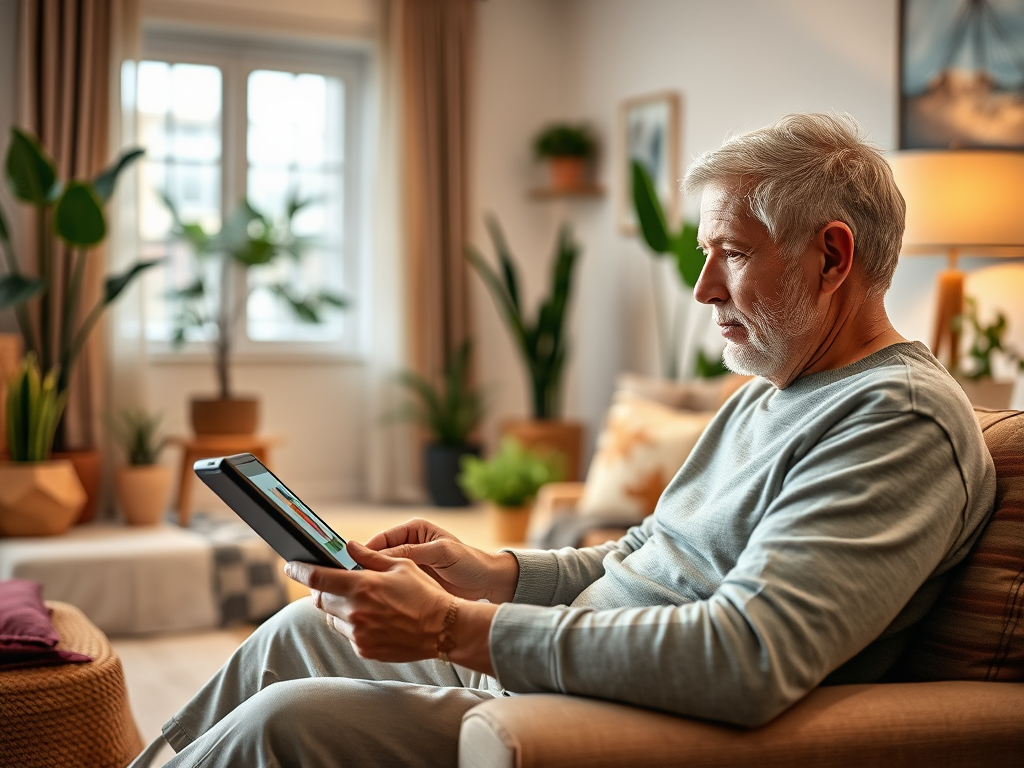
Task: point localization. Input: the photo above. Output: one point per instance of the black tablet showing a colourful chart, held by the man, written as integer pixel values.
(272, 510)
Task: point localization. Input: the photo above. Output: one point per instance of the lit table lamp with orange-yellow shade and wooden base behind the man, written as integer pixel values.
(960, 200)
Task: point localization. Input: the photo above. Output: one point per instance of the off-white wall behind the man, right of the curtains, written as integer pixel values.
(738, 65)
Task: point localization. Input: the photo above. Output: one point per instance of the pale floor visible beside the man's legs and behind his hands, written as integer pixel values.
(164, 672)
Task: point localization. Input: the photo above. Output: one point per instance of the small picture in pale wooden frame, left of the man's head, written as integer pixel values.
(650, 131)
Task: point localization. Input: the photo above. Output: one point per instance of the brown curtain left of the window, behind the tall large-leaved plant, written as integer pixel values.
(69, 68)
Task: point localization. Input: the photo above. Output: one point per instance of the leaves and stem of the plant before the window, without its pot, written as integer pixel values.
(248, 239)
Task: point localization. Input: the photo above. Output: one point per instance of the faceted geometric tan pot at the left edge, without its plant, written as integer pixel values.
(39, 498)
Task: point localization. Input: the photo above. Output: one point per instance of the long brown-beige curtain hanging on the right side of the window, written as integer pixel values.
(438, 39)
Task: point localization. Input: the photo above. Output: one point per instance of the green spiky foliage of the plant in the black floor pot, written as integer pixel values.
(450, 412)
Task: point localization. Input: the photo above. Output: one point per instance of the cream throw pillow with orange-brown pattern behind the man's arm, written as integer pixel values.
(641, 450)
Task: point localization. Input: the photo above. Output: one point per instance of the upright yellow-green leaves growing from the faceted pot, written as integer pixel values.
(34, 405)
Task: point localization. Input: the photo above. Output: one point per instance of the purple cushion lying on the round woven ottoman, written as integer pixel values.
(27, 635)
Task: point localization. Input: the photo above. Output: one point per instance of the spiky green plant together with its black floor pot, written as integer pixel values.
(450, 413)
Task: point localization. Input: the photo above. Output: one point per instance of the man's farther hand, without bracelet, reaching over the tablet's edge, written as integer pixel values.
(461, 570)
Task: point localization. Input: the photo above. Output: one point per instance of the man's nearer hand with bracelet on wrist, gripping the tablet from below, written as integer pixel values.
(394, 612)
